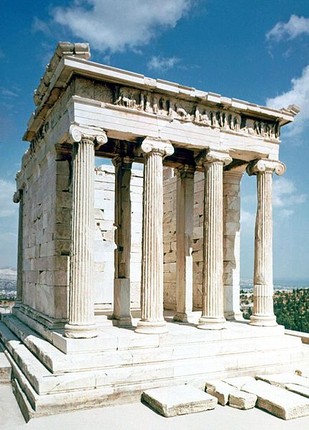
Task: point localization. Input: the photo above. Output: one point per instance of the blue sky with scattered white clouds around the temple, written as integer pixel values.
(255, 50)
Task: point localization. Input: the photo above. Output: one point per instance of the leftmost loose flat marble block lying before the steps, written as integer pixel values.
(178, 400)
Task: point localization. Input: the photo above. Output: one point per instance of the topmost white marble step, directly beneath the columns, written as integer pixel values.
(123, 351)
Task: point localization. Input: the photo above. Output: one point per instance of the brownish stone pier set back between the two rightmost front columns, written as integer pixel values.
(231, 242)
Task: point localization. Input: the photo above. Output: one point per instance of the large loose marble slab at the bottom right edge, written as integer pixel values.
(278, 401)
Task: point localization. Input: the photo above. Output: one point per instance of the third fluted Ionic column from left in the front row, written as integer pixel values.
(213, 310)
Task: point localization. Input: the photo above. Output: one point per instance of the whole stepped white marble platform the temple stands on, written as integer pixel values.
(119, 364)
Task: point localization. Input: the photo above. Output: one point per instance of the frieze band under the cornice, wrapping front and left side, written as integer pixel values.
(161, 105)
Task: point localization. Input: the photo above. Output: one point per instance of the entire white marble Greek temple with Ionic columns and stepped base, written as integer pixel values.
(129, 239)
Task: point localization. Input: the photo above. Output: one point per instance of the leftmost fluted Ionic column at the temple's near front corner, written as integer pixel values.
(81, 306)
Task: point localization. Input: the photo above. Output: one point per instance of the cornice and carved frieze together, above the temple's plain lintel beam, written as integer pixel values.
(128, 92)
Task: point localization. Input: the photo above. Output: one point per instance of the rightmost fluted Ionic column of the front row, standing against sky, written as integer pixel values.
(263, 310)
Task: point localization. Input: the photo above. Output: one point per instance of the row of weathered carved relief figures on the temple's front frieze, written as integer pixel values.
(181, 110)
